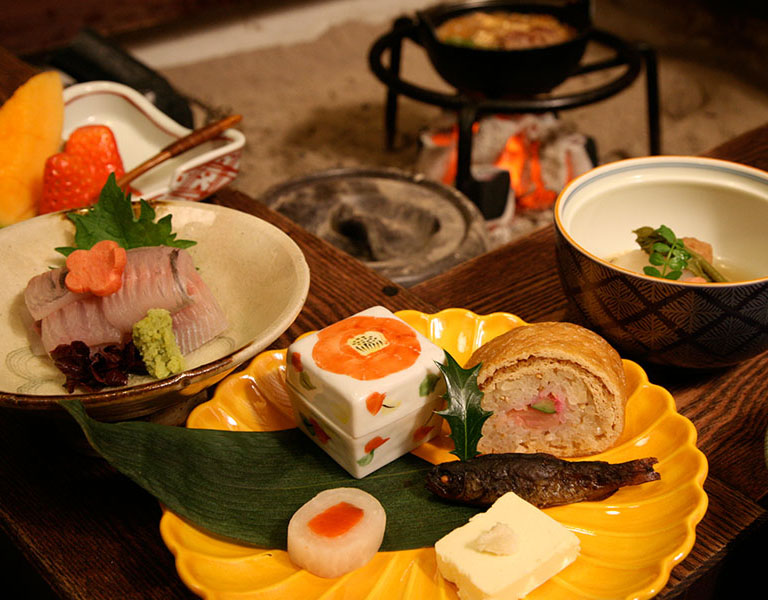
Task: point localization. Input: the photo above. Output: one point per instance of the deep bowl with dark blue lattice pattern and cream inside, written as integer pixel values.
(684, 324)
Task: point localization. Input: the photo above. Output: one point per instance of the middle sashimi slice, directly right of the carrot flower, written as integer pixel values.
(154, 277)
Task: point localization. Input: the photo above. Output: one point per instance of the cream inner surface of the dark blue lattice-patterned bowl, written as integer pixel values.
(723, 203)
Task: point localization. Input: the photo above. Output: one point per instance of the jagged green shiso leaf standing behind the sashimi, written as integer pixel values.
(112, 218)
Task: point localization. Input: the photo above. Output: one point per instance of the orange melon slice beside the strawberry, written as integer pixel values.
(30, 131)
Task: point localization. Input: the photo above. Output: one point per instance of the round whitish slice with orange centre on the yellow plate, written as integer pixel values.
(337, 531)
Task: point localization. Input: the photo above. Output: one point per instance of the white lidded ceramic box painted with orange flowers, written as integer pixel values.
(365, 389)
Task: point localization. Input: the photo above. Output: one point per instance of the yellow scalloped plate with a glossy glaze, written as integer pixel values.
(629, 542)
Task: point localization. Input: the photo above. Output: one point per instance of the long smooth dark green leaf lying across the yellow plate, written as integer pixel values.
(246, 485)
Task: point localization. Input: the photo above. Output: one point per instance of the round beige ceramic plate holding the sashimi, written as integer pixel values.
(257, 273)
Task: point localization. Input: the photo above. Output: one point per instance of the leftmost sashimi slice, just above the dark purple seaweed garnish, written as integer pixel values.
(83, 320)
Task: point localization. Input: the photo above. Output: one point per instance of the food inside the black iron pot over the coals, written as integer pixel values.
(504, 30)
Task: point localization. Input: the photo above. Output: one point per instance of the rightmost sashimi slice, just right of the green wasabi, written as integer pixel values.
(201, 321)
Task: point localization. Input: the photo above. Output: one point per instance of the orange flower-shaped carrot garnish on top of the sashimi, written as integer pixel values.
(98, 270)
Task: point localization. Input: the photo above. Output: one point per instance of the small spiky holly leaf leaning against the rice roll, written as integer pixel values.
(464, 413)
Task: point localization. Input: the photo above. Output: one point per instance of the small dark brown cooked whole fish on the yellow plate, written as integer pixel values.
(541, 479)
